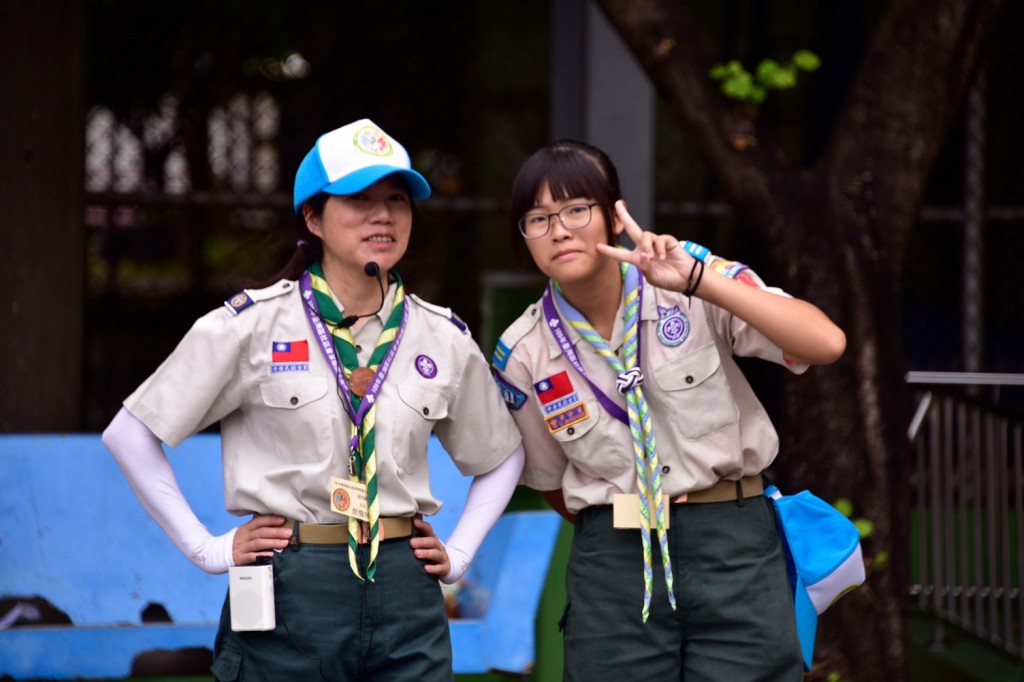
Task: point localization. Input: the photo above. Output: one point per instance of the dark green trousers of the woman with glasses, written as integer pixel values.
(735, 620)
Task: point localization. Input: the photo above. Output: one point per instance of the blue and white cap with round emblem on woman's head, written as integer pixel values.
(352, 158)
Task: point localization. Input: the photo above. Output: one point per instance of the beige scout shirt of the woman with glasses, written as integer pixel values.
(709, 425)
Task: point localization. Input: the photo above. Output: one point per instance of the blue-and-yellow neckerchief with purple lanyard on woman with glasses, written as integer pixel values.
(628, 382)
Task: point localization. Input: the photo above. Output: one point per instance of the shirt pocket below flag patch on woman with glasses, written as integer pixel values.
(590, 446)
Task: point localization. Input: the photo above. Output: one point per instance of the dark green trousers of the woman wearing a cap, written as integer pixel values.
(333, 627)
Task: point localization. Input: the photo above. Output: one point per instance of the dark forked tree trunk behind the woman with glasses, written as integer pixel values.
(837, 236)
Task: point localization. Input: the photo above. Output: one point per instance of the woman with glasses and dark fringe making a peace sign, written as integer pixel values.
(642, 431)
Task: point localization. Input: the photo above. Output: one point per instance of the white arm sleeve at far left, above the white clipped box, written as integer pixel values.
(142, 458)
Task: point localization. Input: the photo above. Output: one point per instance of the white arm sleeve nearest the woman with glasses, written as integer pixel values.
(489, 495)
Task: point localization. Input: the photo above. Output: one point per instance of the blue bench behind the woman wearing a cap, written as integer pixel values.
(75, 536)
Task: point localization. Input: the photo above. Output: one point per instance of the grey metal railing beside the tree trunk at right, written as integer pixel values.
(968, 510)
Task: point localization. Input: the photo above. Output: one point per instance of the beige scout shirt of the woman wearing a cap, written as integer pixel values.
(285, 433)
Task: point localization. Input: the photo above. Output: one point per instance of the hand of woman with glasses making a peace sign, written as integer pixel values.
(660, 258)
